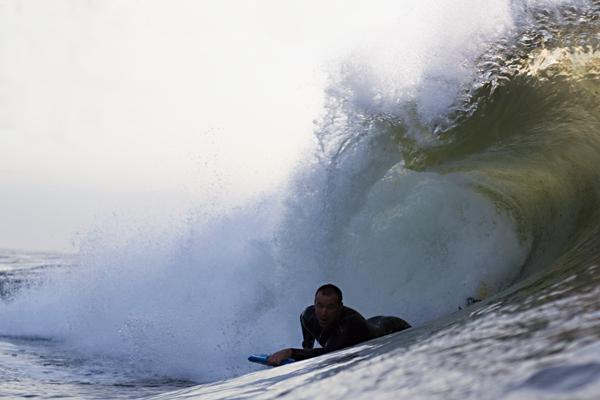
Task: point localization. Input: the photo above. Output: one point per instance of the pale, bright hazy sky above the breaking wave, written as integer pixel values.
(153, 107)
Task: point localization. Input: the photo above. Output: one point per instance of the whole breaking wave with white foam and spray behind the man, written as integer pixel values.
(438, 177)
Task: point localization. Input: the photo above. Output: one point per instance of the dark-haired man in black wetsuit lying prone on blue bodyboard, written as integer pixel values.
(335, 327)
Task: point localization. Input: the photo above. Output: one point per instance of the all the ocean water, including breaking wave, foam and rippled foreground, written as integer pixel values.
(451, 164)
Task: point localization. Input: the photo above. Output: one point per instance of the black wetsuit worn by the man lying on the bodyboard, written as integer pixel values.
(351, 329)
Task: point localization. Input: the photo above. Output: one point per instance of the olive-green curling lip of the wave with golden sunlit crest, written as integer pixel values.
(529, 139)
